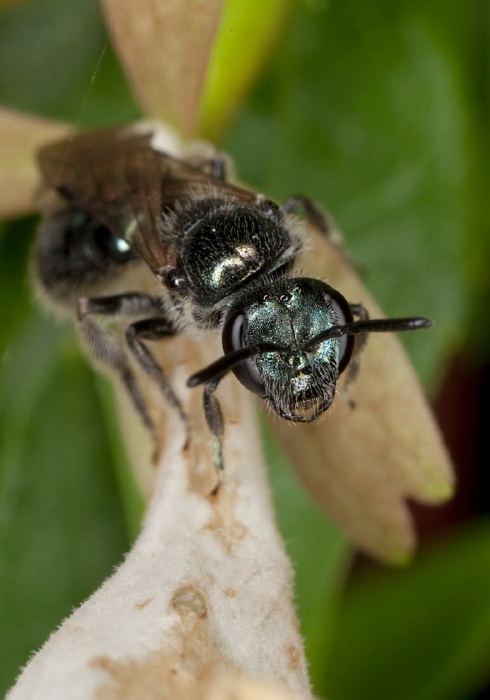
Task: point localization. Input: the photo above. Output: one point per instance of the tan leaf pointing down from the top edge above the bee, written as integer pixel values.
(165, 47)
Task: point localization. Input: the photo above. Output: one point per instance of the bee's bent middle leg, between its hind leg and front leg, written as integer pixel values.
(155, 329)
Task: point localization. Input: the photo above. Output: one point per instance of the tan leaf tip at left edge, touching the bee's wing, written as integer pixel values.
(20, 137)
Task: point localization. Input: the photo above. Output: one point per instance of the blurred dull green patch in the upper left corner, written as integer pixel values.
(56, 61)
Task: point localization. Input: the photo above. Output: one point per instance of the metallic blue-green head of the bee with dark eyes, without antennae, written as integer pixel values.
(298, 381)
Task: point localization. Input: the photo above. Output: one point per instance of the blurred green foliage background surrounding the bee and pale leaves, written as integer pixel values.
(380, 111)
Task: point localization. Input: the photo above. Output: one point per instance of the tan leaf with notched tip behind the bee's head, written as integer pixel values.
(362, 464)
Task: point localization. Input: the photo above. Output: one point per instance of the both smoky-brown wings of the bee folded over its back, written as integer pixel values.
(125, 184)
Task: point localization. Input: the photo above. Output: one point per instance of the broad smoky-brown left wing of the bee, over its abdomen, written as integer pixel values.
(117, 181)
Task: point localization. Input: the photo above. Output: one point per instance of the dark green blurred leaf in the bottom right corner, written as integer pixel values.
(423, 633)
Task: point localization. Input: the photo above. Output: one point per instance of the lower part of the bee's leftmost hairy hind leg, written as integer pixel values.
(104, 349)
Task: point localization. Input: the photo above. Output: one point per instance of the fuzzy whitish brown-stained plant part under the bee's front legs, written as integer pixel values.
(207, 586)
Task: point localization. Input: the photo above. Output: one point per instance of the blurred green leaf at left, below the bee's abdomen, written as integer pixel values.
(62, 528)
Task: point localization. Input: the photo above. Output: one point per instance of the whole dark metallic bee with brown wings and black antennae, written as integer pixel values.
(223, 256)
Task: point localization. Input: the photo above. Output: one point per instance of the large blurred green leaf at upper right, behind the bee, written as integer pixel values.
(364, 110)
